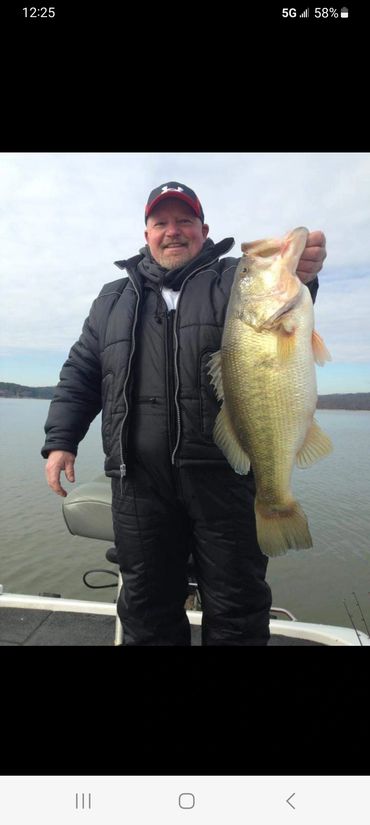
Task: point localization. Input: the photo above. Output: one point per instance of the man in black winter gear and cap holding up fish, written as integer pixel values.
(143, 359)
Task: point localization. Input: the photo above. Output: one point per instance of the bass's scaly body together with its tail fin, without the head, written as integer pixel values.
(271, 406)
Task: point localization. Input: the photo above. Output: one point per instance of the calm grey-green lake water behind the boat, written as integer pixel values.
(38, 554)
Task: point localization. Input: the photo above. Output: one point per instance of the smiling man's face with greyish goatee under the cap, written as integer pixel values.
(174, 234)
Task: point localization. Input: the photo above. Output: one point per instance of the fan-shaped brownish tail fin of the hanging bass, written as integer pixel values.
(280, 529)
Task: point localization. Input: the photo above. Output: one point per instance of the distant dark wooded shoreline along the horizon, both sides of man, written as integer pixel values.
(357, 401)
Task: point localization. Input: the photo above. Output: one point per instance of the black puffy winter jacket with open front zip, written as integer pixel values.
(142, 364)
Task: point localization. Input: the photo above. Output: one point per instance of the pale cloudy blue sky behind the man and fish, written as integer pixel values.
(66, 217)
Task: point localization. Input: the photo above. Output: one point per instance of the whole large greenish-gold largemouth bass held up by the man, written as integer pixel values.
(265, 376)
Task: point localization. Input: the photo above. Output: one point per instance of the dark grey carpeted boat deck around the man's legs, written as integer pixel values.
(48, 628)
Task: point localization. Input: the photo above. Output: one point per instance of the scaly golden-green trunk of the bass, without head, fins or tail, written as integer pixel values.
(271, 405)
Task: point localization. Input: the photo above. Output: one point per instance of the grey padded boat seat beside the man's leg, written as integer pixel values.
(87, 510)
